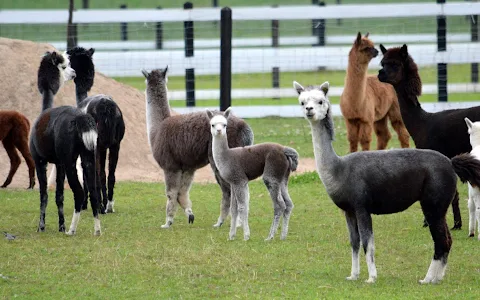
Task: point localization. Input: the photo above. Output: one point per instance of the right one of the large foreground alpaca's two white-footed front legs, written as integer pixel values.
(364, 221)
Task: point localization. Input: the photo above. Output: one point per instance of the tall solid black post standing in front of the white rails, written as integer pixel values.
(225, 58)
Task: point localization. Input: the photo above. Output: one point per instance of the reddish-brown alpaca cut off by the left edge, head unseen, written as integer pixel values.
(14, 130)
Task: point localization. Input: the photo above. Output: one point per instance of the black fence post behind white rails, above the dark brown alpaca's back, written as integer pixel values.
(441, 47)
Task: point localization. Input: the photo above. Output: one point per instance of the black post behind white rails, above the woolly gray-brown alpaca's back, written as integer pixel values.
(190, 72)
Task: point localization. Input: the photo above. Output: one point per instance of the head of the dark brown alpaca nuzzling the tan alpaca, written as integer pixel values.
(392, 65)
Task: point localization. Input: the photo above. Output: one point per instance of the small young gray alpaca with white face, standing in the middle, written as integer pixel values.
(274, 162)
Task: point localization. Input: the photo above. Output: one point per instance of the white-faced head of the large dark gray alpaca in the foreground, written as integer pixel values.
(314, 100)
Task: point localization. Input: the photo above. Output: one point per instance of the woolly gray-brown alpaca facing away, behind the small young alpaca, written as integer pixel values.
(181, 144)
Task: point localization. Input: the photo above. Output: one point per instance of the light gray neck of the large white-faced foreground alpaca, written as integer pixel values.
(325, 157)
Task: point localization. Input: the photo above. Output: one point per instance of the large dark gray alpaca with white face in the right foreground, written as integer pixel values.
(384, 182)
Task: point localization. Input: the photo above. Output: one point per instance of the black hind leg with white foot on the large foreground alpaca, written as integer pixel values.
(442, 243)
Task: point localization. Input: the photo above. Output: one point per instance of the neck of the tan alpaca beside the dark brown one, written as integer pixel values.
(356, 79)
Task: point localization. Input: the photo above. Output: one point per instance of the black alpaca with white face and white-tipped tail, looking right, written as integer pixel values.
(59, 136)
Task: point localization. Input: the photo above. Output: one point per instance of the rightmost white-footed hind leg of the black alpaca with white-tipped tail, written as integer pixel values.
(89, 162)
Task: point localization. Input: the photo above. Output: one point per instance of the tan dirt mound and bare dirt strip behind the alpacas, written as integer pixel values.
(18, 83)
